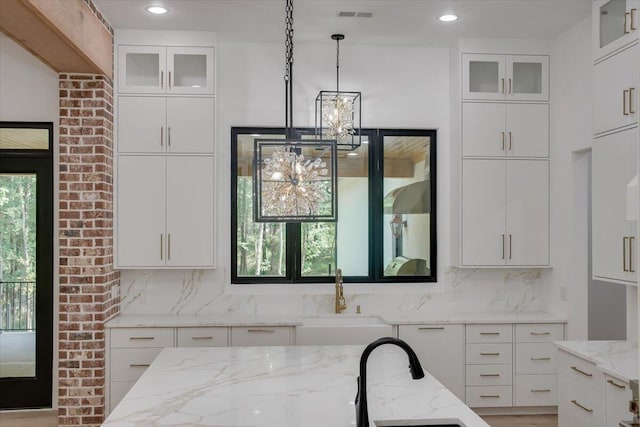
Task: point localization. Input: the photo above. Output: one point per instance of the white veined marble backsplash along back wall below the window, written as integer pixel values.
(206, 292)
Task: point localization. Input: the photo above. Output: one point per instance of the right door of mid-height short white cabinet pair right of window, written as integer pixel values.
(527, 130)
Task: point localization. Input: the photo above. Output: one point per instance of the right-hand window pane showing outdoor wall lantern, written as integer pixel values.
(406, 205)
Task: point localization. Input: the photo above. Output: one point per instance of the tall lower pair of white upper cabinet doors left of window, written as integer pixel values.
(165, 211)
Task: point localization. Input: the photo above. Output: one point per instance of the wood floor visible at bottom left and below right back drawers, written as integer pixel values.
(50, 419)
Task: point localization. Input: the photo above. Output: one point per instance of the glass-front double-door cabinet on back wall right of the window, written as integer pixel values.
(505, 77)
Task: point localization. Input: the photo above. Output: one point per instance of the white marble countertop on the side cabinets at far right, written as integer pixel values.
(616, 358)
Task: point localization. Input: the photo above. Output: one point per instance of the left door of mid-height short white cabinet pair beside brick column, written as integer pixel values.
(141, 124)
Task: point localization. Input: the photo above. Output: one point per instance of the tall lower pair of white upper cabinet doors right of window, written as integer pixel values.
(505, 218)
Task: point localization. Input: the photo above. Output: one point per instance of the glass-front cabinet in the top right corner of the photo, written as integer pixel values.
(615, 24)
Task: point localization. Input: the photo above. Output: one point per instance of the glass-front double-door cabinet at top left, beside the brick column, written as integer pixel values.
(165, 70)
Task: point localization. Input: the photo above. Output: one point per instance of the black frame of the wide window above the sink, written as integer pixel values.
(376, 216)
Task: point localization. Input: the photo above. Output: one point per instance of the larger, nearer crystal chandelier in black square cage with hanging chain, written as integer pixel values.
(294, 179)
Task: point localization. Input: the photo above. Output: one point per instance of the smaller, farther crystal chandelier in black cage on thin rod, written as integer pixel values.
(338, 113)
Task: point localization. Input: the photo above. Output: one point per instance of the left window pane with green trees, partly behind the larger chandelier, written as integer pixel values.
(261, 246)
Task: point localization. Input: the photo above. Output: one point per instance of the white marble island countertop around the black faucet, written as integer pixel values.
(282, 386)
